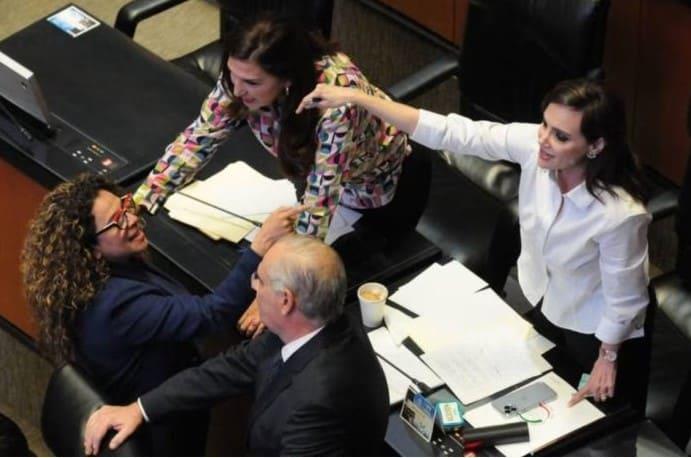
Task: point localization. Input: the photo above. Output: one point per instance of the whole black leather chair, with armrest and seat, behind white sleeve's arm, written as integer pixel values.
(513, 52)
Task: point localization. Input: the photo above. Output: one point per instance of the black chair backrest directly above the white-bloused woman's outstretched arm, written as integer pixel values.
(514, 51)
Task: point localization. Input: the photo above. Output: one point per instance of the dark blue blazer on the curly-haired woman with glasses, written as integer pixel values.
(137, 331)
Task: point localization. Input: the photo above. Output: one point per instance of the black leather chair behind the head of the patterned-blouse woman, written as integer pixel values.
(205, 63)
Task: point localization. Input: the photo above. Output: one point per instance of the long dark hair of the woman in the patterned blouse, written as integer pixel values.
(284, 49)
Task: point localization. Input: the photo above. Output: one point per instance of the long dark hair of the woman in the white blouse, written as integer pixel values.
(603, 117)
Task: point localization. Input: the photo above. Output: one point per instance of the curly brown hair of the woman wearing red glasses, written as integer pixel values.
(60, 272)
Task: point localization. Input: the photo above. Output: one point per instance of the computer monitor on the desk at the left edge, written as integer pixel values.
(19, 86)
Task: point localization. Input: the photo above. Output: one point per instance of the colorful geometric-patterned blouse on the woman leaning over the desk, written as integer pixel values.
(357, 162)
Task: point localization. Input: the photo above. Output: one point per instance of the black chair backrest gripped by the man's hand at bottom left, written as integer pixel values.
(69, 401)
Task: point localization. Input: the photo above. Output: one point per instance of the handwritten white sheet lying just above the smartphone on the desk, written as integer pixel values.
(476, 369)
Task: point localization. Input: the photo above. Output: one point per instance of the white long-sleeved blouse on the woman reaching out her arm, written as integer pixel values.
(586, 258)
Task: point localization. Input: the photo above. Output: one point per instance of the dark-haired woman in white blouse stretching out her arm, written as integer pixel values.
(584, 250)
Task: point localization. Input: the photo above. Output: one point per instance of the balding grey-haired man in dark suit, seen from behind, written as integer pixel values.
(318, 388)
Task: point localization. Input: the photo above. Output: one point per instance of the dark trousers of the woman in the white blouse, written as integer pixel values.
(633, 362)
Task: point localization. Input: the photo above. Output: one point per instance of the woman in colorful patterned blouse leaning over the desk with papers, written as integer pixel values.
(340, 156)
